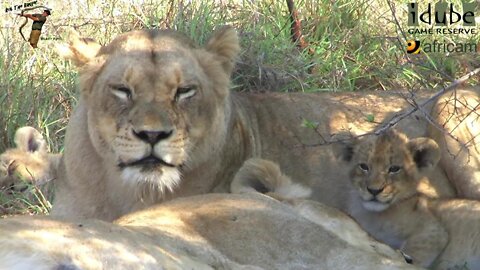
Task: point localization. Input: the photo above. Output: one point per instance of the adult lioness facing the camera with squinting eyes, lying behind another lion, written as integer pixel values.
(156, 120)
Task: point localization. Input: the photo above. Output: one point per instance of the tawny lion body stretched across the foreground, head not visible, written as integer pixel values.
(212, 231)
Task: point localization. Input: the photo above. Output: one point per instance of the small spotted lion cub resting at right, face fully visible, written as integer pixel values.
(385, 200)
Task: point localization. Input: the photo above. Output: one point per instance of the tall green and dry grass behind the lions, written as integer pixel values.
(354, 45)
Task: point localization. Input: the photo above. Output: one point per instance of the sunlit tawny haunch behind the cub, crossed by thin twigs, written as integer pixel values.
(459, 140)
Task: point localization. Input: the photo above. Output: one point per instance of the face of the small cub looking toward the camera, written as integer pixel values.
(386, 169)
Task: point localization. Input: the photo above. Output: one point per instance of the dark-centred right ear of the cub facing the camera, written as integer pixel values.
(425, 152)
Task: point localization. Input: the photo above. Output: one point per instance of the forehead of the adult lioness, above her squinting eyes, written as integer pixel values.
(149, 58)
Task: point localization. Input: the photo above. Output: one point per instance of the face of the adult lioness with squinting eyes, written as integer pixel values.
(156, 105)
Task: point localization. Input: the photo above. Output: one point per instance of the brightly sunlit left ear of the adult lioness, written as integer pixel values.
(79, 50)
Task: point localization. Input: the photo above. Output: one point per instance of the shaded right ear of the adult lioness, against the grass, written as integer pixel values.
(225, 45)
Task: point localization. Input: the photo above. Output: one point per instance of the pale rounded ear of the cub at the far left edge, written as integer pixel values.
(28, 139)
